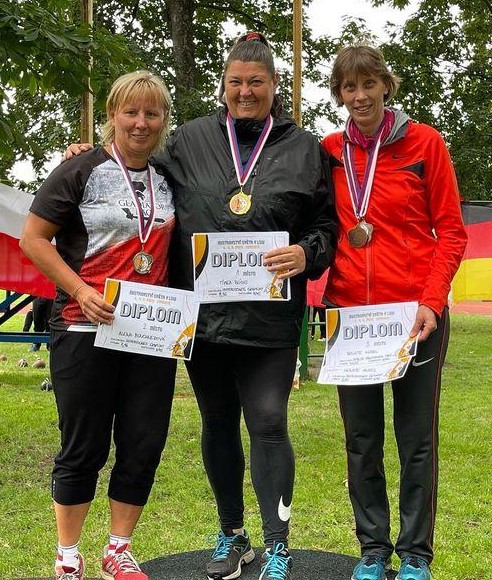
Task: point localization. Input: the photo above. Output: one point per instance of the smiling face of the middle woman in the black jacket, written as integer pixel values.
(249, 90)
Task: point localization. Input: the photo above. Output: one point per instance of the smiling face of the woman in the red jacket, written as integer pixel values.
(363, 98)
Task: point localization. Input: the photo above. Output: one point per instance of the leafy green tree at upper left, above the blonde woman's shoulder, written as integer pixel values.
(44, 53)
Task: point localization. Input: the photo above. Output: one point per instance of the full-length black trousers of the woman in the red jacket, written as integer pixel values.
(415, 419)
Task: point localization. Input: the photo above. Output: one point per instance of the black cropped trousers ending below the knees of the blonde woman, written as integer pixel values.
(103, 394)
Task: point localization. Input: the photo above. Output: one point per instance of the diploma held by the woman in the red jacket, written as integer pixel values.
(367, 345)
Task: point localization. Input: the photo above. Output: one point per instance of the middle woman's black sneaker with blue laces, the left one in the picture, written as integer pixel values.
(231, 552)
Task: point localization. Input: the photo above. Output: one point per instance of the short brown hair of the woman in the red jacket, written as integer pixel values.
(361, 59)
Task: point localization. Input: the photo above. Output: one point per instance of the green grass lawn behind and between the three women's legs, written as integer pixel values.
(181, 514)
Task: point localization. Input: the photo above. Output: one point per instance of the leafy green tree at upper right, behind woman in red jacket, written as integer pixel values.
(444, 55)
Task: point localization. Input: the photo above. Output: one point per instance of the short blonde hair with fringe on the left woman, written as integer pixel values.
(134, 86)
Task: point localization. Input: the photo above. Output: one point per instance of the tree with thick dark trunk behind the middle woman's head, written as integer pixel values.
(185, 42)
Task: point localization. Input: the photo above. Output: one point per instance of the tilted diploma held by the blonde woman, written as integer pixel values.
(152, 320)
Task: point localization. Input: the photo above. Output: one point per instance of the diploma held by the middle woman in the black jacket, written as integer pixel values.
(229, 267)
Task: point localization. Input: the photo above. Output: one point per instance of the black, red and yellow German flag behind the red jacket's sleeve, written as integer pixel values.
(473, 281)
